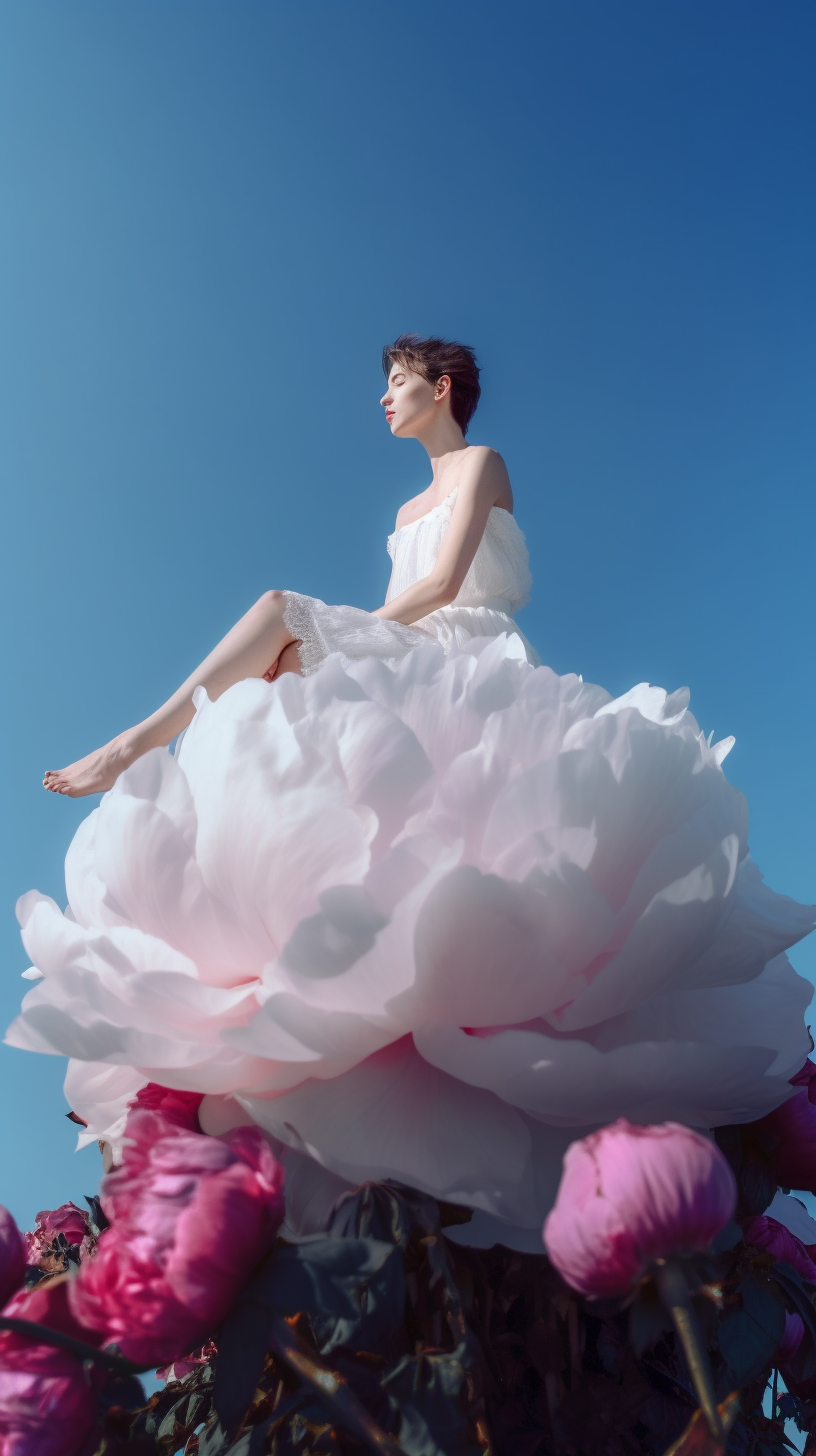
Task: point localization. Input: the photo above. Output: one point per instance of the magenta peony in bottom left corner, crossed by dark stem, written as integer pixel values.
(47, 1398)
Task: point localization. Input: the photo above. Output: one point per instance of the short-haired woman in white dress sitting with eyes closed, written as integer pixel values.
(460, 567)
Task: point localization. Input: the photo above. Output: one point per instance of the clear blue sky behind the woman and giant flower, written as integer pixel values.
(216, 215)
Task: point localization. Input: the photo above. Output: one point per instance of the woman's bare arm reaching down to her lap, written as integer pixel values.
(483, 484)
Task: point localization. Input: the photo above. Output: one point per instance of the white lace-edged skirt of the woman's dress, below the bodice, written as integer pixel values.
(323, 630)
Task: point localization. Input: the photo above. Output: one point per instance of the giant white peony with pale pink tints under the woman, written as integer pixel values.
(426, 922)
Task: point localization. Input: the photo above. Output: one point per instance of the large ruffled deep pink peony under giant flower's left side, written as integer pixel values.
(190, 1216)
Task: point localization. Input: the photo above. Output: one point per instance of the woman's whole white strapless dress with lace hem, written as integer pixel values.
(498, 586)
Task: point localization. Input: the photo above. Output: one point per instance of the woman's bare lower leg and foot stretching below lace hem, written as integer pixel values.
(251, 649)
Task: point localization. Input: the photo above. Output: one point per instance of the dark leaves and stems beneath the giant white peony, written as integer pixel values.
(385, 1337)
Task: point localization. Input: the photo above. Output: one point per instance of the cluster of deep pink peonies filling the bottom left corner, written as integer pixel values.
(189, 1219)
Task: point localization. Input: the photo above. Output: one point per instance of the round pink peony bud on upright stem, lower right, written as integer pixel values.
(633, 1195)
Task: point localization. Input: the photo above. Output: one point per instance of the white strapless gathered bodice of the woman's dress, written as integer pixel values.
(499, 576)
